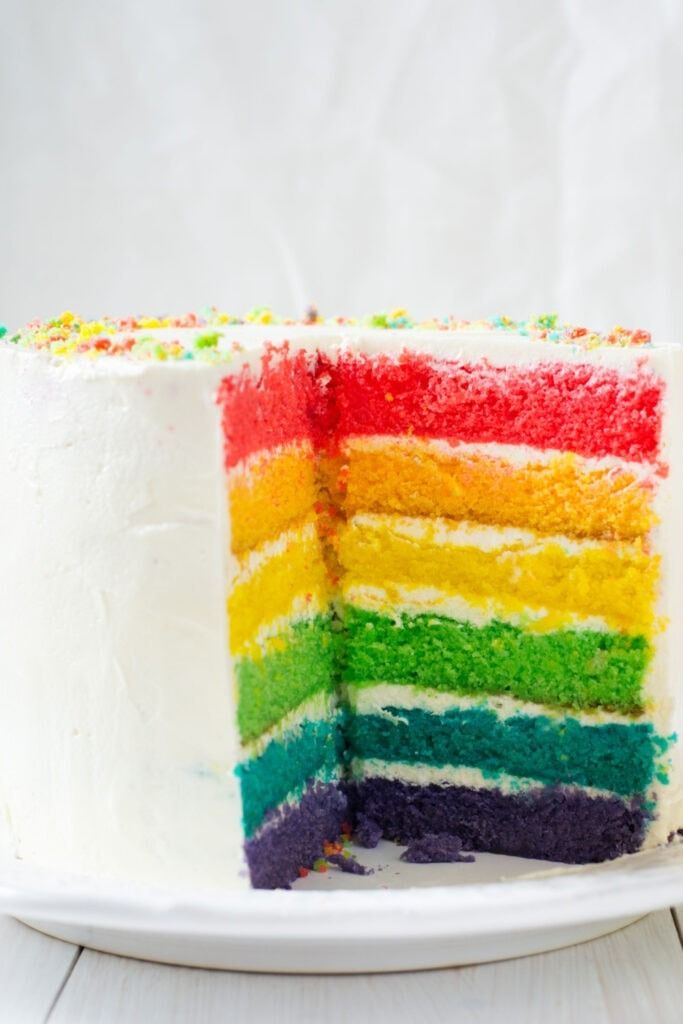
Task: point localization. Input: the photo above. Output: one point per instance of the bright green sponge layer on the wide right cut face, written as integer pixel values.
(568, 668)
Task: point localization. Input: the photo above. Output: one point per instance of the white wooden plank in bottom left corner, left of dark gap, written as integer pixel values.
(33, 970)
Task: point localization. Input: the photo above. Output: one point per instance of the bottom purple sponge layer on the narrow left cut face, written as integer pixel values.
(293, 837)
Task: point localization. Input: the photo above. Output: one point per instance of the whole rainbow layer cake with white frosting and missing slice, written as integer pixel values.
(293, 577)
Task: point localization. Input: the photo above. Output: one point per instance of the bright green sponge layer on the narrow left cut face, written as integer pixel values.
(303, 664)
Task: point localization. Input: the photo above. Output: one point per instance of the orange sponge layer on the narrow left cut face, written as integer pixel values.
(270, 492)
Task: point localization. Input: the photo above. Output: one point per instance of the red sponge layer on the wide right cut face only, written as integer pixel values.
(593, 411)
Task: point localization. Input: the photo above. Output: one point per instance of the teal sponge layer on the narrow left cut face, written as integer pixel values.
(313, 750)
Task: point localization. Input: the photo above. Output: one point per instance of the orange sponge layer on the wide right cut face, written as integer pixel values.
(564, 494)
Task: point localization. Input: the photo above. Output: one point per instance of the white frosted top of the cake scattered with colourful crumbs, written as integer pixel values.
(206, 336)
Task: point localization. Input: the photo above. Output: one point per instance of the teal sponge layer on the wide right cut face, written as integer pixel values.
(622, 759)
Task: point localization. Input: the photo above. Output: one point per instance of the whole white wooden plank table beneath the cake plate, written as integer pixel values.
(635, 975)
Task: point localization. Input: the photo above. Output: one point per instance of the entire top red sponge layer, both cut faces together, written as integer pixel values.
(590, 410)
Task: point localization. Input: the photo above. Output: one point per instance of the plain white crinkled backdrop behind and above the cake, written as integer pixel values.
(473, 157)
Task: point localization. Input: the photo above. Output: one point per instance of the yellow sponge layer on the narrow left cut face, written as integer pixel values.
(276, 583)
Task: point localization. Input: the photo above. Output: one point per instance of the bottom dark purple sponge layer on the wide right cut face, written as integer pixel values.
(550, 824)
